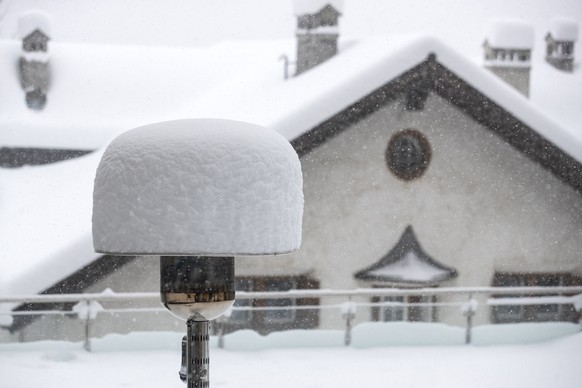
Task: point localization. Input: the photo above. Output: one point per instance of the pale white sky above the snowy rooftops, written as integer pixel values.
(462, 22)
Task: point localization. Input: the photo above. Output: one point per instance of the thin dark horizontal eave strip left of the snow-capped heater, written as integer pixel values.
(19, 156)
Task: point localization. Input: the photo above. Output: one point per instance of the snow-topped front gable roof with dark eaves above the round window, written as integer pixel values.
(348, 88)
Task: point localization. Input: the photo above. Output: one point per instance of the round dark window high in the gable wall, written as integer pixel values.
(408, 154)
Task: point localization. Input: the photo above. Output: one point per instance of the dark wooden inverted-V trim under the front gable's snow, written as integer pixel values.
(430, 74)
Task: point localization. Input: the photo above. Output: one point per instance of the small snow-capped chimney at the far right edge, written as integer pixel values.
(560, 42)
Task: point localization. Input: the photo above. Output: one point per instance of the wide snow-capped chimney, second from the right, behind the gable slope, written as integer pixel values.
(508, 47)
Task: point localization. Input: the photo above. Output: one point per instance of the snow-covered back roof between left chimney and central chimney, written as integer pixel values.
(99, 91)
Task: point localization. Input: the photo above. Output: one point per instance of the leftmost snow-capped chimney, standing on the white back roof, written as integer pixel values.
(34, 68)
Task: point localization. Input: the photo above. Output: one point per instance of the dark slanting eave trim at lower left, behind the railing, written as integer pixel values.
(77, 282)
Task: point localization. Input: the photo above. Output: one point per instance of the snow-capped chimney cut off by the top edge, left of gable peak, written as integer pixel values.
(317, 31)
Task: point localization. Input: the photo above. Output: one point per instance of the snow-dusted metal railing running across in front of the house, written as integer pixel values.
(88, 306)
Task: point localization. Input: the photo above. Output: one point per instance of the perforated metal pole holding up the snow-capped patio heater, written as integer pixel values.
(197, 354)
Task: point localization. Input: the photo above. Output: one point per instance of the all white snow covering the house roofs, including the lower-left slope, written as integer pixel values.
(45, 233)
